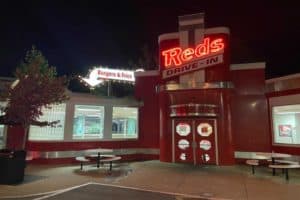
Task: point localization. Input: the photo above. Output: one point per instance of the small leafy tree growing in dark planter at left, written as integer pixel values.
(36, 86)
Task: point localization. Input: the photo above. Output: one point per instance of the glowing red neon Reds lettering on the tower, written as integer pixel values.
(176, 56)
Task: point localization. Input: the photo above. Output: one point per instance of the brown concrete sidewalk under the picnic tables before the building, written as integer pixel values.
(233, 182)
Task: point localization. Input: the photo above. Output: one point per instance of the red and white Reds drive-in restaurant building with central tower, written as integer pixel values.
(196, 108)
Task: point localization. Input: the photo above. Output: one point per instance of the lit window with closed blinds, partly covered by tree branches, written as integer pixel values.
(48, 133)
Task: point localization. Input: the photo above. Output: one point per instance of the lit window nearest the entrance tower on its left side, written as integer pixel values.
(124, 122)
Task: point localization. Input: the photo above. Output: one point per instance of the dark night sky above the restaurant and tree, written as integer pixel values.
(75, 35)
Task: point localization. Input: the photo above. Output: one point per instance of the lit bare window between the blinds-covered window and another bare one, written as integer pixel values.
(88, 122)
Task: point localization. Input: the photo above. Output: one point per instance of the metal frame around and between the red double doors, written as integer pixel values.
(194, 133)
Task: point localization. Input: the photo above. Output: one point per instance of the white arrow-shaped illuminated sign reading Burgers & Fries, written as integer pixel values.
(98, 75)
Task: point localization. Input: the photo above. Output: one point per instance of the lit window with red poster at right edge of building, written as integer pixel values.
(286, 124)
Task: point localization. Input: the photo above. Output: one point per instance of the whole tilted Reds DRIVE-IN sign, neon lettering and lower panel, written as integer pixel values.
(178, 61)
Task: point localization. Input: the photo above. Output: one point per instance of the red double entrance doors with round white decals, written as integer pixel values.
(194, 141)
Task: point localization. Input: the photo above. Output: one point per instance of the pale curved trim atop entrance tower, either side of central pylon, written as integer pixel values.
(175, 35)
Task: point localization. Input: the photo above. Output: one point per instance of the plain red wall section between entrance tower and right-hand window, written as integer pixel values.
(250, 111)
